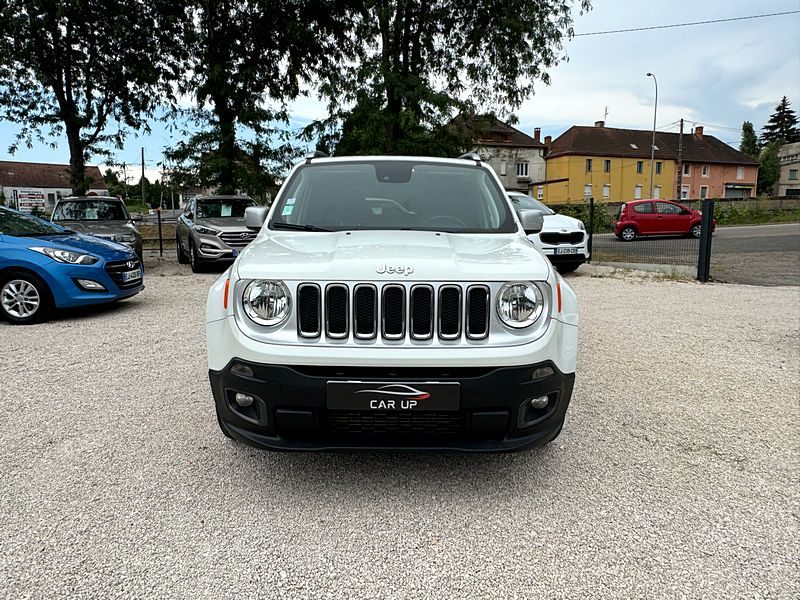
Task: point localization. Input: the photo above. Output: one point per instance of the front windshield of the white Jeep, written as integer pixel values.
(398, 194)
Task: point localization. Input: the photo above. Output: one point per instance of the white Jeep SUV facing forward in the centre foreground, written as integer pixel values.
(392, 302)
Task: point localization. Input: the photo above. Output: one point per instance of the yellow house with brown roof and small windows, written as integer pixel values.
(607, 164)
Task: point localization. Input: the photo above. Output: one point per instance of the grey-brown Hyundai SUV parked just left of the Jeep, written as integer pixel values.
(211, 229)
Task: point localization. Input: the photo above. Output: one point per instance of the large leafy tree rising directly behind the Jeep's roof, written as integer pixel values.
(421, 63)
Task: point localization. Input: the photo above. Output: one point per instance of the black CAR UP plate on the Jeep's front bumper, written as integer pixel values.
(393, 396)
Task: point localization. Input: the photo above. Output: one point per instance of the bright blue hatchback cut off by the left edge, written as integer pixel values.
(44, 266)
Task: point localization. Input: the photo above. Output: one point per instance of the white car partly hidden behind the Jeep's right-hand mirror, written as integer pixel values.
(562, 238)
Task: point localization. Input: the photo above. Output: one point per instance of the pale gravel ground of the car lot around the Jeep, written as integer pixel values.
(676, 474)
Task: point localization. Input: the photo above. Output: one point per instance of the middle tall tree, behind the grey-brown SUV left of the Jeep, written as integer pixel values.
(248, 58)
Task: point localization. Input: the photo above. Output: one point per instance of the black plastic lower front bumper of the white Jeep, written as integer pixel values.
(290, 411)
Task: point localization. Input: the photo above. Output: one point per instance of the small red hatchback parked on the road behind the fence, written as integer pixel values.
(657, 217)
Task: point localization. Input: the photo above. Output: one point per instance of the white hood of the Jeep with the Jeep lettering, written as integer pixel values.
(420, 255)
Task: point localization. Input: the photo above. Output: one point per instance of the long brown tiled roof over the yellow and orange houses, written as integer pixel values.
(635, 143)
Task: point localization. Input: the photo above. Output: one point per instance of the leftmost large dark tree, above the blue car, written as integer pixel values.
(85, 69)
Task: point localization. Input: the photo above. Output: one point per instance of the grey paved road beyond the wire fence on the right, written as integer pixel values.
(757, 255)
